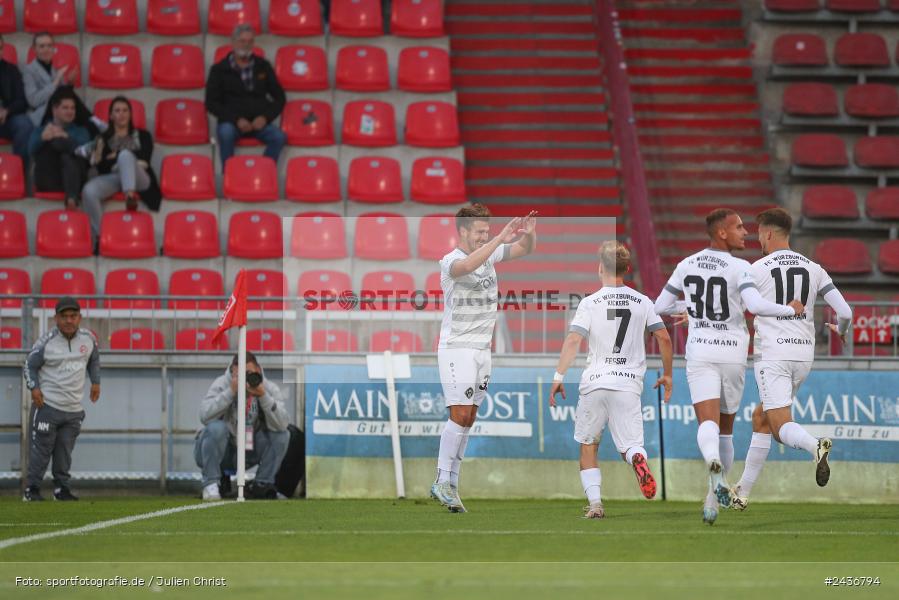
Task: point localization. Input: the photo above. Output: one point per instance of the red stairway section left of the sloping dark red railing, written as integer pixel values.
(532, 111)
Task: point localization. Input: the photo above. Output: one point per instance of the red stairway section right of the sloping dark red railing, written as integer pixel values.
(698, 116)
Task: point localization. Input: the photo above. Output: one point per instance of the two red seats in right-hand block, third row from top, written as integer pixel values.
(867, 101)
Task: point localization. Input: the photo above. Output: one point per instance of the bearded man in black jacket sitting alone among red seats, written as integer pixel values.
(243, 93)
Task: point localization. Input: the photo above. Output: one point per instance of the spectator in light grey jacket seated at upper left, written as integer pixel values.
(42, 80)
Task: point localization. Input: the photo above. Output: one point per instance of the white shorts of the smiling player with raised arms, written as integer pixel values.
(464, 374)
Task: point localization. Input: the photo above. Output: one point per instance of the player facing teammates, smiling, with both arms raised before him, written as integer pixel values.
(468, 279)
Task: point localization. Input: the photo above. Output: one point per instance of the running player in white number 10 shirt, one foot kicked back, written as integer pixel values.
(785, 347)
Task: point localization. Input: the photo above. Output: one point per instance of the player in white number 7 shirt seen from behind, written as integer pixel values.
(614, 320)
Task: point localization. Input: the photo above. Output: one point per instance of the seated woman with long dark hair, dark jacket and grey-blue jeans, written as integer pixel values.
(121, 156)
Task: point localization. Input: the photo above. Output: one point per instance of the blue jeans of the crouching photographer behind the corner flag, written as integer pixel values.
(215, 448)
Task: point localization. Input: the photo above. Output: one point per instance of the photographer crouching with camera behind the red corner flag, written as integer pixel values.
(267, 418)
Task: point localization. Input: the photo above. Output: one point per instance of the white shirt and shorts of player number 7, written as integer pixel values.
(614, 321)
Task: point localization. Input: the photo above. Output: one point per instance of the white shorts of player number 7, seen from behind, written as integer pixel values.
(621, 410)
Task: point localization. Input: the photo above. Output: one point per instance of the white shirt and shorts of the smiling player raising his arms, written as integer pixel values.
(469, 318)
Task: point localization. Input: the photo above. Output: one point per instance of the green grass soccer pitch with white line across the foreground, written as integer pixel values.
(415, 549)
